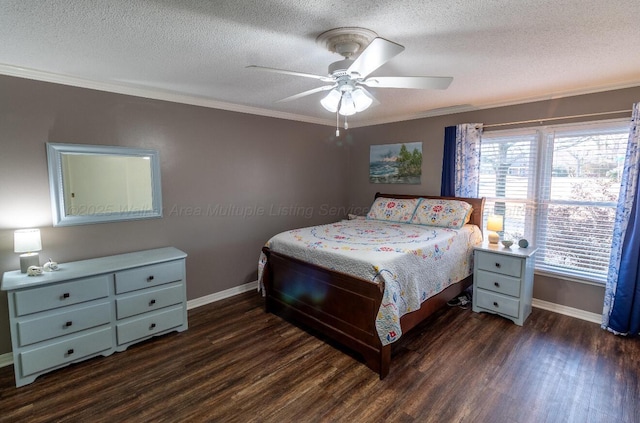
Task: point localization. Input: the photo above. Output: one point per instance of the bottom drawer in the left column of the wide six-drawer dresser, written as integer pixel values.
(71, 349)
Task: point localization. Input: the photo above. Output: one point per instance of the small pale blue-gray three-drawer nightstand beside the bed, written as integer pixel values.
(503, 281)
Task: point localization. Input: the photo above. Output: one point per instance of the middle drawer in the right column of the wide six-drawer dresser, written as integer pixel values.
(149, 299)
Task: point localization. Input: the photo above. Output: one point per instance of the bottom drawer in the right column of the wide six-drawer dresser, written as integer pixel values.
(149, 324)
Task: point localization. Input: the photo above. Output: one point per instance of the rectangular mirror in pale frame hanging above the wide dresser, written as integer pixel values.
(98, 184)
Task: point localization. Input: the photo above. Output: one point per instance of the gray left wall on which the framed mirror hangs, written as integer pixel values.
(293, 171)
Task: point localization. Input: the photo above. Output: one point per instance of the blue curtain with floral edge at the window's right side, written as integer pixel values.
(621, 314)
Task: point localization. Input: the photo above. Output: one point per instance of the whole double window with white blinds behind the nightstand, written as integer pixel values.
(558, 186)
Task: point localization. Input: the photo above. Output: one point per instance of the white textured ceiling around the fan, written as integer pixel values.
(195, 51)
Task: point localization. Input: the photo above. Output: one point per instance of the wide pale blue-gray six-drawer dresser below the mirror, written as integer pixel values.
(93, 307)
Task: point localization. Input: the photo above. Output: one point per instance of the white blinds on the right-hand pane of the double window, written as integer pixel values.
(578, 198)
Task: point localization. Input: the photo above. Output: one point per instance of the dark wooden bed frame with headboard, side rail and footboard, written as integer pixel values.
(349, 306)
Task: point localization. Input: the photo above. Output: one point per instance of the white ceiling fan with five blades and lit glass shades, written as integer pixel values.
(363, 52)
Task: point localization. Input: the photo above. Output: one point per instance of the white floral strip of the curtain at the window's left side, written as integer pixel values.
(467, 171)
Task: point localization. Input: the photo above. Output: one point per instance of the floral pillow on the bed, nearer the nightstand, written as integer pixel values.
(442, 213)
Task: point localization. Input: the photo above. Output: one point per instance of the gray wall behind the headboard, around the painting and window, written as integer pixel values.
(430, 131)
